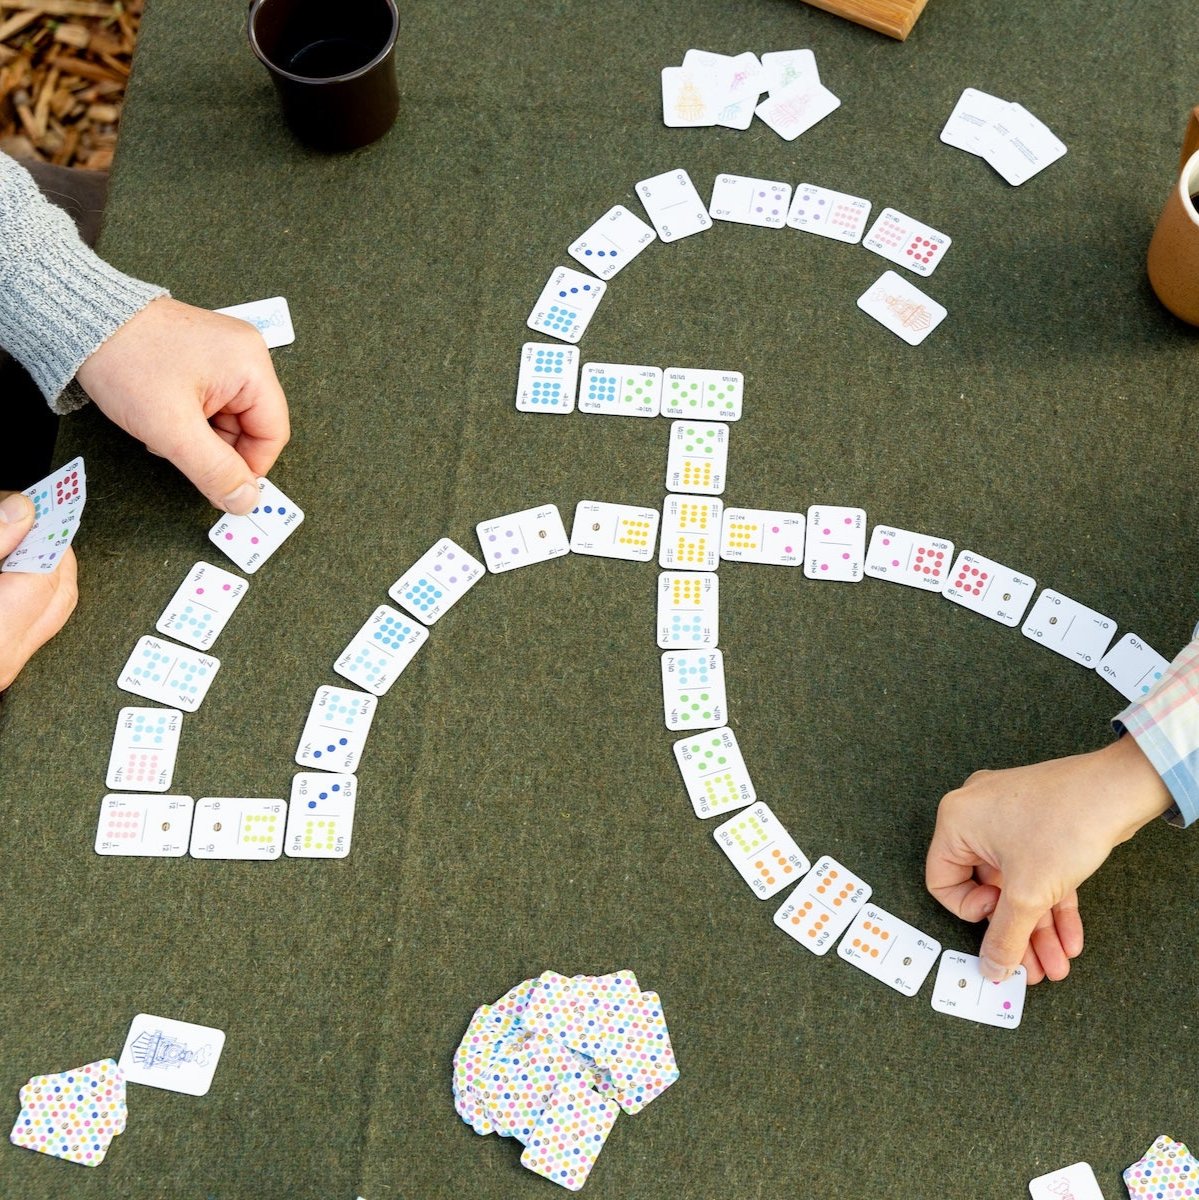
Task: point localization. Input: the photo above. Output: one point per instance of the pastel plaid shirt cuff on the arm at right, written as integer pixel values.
(1166, 725)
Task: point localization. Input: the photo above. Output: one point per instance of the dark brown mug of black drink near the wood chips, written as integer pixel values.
(333, 67)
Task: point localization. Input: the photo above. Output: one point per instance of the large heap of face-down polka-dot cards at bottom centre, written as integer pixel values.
(555, 1060)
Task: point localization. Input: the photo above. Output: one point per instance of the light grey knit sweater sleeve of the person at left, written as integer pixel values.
(58, 299)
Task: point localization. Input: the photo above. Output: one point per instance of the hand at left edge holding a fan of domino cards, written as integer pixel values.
(33, 607)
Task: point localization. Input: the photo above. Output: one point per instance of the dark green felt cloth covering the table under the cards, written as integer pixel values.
(520, 807)
